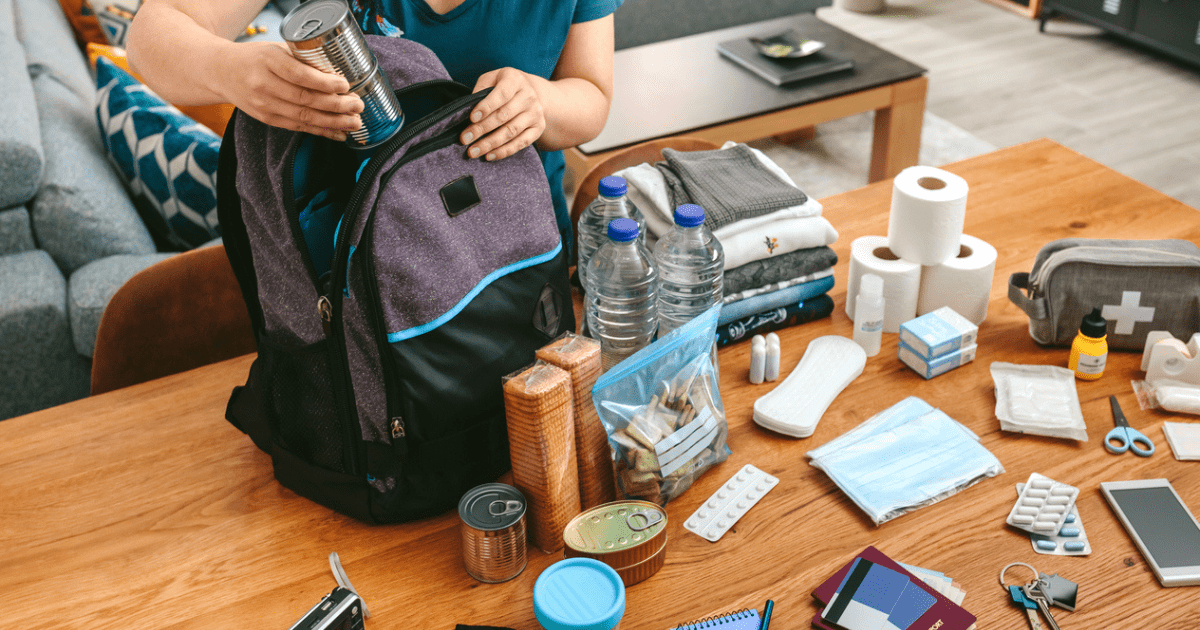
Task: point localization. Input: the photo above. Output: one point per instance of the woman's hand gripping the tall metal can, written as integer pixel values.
(265, 81)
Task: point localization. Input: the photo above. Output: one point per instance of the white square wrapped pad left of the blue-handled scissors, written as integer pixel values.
(1040, 400)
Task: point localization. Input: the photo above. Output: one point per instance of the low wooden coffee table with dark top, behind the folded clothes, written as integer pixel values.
(685, 88)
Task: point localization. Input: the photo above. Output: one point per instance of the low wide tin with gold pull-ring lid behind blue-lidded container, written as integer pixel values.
(628, 536)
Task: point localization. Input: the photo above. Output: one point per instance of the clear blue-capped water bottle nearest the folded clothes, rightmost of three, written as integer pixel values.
(692, 269)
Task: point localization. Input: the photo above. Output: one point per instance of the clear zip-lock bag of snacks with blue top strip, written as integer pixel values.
(664, 413)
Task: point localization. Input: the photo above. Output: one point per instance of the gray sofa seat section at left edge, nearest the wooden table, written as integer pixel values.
(39, 364)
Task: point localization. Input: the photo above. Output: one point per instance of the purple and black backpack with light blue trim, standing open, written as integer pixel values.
(388, 298)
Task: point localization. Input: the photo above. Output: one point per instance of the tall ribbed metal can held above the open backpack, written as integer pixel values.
(325, 35)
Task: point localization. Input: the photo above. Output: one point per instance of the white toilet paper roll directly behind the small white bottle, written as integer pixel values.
(902, 280)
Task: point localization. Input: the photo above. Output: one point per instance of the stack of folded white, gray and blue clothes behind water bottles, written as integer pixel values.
(778, 262)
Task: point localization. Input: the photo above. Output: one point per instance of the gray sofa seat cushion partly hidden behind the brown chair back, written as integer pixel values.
(93, 286)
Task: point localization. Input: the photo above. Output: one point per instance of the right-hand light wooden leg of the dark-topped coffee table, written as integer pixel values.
(898, 130)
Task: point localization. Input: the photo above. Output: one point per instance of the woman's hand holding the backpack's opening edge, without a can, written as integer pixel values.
(508, 119)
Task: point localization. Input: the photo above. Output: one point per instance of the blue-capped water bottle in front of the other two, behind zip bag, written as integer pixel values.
(622, 295)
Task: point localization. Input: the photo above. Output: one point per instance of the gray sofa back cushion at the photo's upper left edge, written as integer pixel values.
(21, 142)
